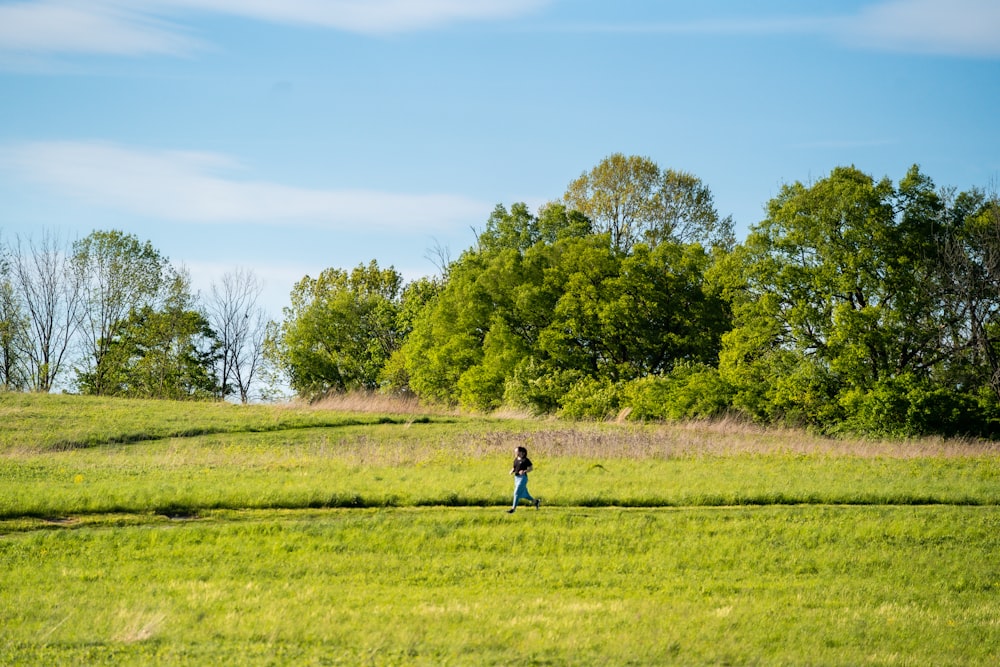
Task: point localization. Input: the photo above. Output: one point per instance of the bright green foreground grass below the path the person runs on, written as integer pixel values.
(560, 586)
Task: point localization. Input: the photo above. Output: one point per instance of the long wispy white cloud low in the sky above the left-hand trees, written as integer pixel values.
(191, 187)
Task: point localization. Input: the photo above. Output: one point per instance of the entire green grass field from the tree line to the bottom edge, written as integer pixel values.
(163, 533)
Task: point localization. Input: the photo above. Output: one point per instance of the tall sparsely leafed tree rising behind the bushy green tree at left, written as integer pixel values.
(117, 273)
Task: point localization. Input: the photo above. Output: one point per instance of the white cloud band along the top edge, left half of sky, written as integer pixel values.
(138, 27)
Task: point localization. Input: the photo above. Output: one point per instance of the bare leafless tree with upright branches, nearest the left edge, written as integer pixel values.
(44, 279)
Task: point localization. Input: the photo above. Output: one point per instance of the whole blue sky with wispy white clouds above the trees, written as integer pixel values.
(289, 136)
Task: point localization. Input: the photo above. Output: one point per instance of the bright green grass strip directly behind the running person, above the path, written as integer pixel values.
(461, 464)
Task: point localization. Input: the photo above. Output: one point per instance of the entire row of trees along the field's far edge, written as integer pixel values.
(857, 305)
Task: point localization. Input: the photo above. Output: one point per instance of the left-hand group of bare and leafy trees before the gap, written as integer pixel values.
(109, 315)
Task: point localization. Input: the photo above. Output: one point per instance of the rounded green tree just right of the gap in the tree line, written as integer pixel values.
(340, 329)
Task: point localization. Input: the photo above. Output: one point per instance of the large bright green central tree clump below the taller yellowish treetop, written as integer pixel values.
(543, 305)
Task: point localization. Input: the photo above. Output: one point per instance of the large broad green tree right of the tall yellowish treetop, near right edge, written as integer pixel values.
(836, 294)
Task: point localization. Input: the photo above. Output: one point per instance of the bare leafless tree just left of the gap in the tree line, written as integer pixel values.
(241, 324)
